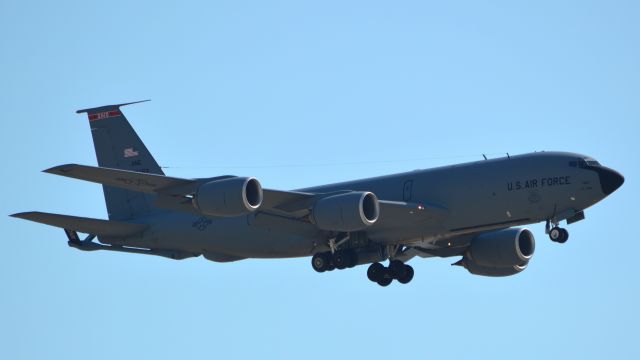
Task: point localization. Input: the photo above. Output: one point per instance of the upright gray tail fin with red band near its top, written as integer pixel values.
(119, 147)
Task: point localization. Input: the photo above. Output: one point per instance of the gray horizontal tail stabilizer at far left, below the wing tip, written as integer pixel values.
(107, 228)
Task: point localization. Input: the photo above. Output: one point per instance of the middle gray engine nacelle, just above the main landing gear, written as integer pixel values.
(346, 212)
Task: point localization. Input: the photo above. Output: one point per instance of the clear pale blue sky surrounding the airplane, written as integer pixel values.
(299, 94)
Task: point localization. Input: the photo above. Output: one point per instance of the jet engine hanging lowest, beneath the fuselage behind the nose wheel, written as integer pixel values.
(499, 253)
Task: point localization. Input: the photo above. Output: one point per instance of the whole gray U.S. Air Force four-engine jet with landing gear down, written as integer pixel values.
(467, 210)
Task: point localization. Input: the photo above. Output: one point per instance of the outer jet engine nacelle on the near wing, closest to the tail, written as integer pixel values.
(228, 197)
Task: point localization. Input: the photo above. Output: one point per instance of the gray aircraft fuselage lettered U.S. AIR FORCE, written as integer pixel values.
(478, 196)
